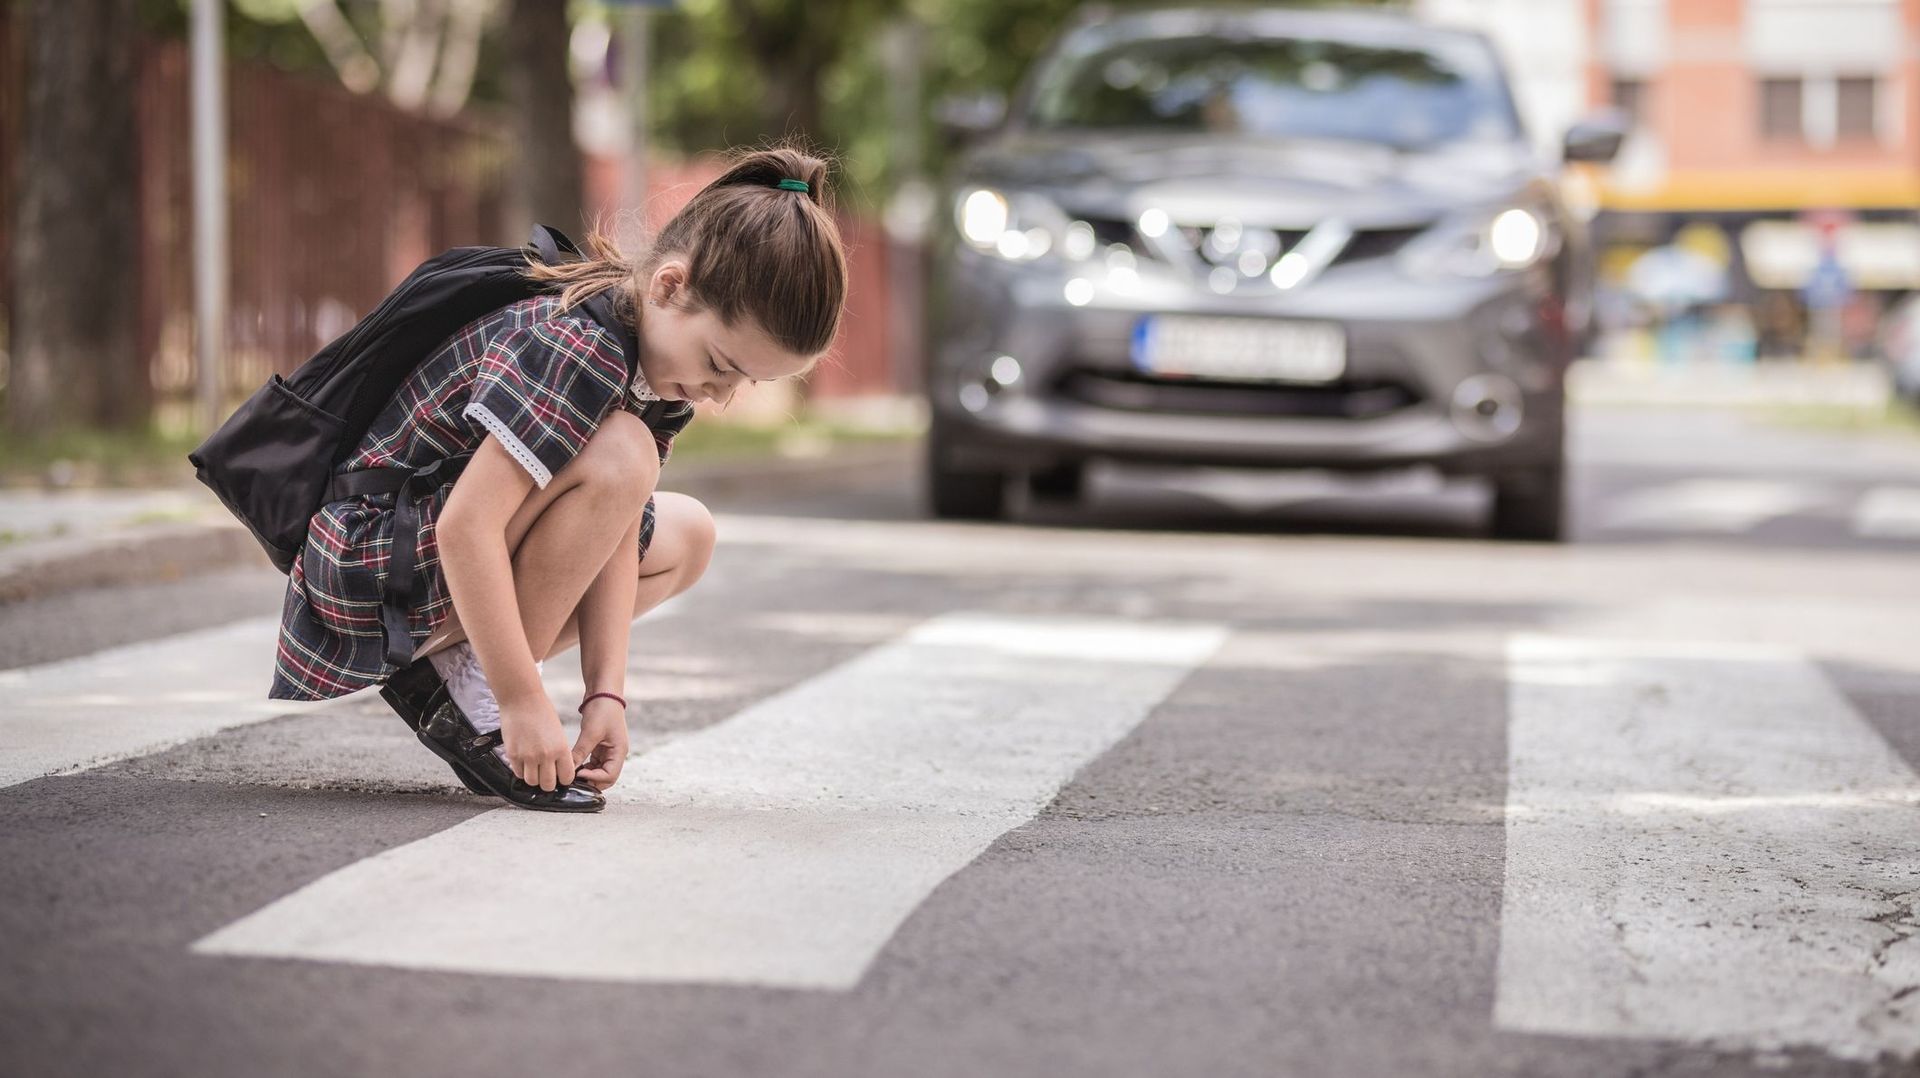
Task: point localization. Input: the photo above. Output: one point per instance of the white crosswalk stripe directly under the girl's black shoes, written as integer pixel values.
(782, 846)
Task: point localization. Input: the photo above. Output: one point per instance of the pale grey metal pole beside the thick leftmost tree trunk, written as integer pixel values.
(210, 203)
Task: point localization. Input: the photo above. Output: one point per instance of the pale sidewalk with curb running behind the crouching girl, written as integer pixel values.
(59, 541)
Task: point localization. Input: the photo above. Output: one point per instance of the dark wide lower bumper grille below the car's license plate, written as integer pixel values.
(1358, 399)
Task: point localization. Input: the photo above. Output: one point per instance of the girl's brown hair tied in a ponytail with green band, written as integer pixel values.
(752, 249)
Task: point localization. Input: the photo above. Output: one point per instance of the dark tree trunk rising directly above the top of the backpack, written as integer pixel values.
(546, 170)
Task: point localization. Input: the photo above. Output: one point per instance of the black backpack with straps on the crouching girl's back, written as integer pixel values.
(274, 462)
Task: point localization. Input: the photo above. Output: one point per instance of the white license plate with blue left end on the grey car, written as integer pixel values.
(1241, 351)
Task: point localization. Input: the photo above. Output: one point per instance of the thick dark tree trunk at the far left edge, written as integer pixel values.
(78, 228)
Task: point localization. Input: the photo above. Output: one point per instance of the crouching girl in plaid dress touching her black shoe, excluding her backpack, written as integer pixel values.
(554, 533)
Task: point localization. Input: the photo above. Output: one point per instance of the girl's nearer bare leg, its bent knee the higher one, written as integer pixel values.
(560, 537)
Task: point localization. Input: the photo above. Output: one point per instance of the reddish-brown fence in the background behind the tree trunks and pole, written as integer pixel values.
(335, 197)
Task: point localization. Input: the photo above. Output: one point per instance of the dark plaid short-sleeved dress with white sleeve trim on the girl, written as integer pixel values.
(535, 378)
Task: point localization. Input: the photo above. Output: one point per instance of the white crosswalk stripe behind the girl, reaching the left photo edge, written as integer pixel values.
(135, 700)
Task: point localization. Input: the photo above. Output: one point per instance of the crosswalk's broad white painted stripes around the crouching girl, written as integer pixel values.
(1704, 843)
